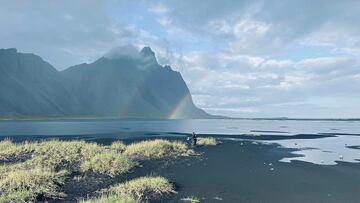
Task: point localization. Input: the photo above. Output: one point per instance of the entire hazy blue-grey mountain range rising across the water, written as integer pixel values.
(120, 84)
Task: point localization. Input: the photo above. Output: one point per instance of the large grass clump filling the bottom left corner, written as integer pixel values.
(26, 185)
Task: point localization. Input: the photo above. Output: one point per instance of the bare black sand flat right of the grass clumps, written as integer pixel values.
(244, 171)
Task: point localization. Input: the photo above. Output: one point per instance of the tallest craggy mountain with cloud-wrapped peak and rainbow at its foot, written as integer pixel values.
(132, 86)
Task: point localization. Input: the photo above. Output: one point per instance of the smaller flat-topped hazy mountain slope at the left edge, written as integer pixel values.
(31, 86)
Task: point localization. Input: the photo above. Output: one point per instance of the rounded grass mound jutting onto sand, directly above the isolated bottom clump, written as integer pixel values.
(109, 163)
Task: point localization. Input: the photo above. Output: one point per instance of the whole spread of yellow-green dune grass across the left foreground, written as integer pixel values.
(43, 167)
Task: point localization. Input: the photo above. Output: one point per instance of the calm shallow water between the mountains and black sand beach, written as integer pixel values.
(321, 142)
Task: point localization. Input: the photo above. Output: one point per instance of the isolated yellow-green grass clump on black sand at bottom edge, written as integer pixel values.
(143, 189)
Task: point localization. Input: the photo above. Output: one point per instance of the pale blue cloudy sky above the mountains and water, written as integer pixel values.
(240, 58)
